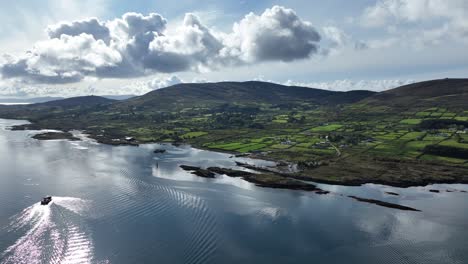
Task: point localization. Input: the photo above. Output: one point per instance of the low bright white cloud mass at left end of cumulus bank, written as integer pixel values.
(61, 60)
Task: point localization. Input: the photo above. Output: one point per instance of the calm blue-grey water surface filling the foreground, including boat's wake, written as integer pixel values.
(129, 205)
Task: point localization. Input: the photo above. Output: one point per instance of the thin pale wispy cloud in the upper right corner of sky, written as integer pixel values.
(418, 23)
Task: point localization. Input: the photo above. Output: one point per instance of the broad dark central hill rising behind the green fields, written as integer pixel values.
(253, 92)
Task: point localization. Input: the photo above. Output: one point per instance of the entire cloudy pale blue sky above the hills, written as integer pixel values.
(104, 47)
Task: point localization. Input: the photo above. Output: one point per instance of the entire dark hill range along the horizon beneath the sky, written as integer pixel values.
(251, 92)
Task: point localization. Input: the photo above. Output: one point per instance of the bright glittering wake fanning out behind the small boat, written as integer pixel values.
(49, 234)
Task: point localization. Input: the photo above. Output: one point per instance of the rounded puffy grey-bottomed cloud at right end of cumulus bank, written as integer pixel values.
(277, 34)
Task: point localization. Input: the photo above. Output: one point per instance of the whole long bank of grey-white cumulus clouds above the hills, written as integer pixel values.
(139, 45)
